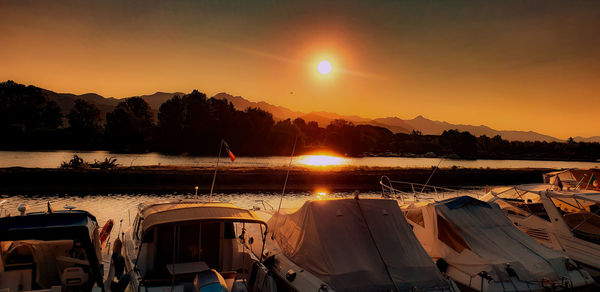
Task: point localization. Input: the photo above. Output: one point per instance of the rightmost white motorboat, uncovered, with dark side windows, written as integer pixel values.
(564, 220)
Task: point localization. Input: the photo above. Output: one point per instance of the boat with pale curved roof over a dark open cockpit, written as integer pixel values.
(194, 246)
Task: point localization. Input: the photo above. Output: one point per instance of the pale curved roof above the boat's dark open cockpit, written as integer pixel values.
(170, 212)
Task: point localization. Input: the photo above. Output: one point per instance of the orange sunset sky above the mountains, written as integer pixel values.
(511, 65)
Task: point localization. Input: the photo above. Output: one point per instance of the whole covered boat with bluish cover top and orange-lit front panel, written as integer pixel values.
(475, 244)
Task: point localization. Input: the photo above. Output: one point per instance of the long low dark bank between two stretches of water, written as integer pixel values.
(178, 179)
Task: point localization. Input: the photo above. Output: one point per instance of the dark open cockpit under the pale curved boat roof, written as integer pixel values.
(180, 250)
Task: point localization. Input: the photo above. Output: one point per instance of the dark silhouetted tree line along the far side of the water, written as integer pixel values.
(195, 124)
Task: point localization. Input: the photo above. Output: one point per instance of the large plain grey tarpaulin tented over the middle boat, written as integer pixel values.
(356, 245)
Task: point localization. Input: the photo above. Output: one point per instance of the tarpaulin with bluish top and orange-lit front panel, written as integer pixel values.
(476, 236)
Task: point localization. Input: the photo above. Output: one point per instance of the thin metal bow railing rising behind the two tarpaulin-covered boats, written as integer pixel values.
(410, 190)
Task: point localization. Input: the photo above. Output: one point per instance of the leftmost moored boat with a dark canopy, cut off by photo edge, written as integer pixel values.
(50, 251)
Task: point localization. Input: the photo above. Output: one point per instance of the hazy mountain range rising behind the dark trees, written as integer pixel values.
(394, 124)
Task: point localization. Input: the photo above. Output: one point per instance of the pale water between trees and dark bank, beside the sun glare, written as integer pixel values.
(53, 159)
